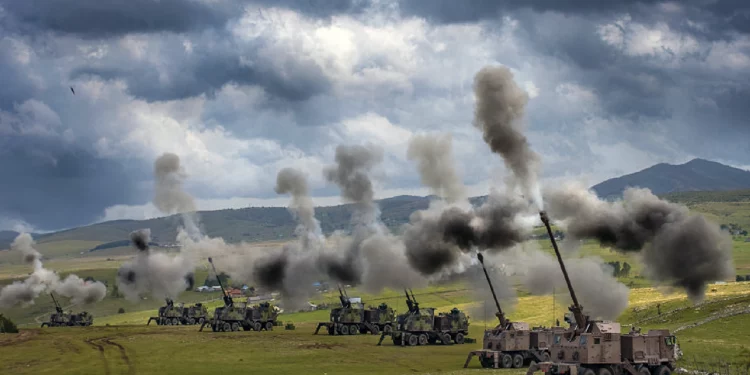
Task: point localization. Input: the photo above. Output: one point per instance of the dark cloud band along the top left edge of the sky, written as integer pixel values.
(103, 19)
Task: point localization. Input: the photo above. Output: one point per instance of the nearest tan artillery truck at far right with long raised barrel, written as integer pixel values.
(597, 347)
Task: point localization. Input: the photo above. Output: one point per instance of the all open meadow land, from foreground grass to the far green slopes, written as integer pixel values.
(119, 342)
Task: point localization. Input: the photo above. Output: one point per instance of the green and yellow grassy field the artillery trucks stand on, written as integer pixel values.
(128, 346)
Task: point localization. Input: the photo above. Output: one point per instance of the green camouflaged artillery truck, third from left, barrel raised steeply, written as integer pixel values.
(231, 317)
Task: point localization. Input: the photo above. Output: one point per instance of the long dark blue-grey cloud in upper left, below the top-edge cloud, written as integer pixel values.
(213, 62)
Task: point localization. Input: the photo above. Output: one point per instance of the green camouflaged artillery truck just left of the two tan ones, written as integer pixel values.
(420, 326)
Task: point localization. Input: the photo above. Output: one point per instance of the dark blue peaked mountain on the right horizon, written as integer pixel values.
(695, 175)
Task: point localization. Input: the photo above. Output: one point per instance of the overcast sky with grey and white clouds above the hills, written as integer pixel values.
(240, 89)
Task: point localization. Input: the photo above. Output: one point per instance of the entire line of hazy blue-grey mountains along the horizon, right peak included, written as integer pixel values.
(254, 224)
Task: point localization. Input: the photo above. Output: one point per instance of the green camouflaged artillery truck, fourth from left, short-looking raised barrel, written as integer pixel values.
(353, 319)
